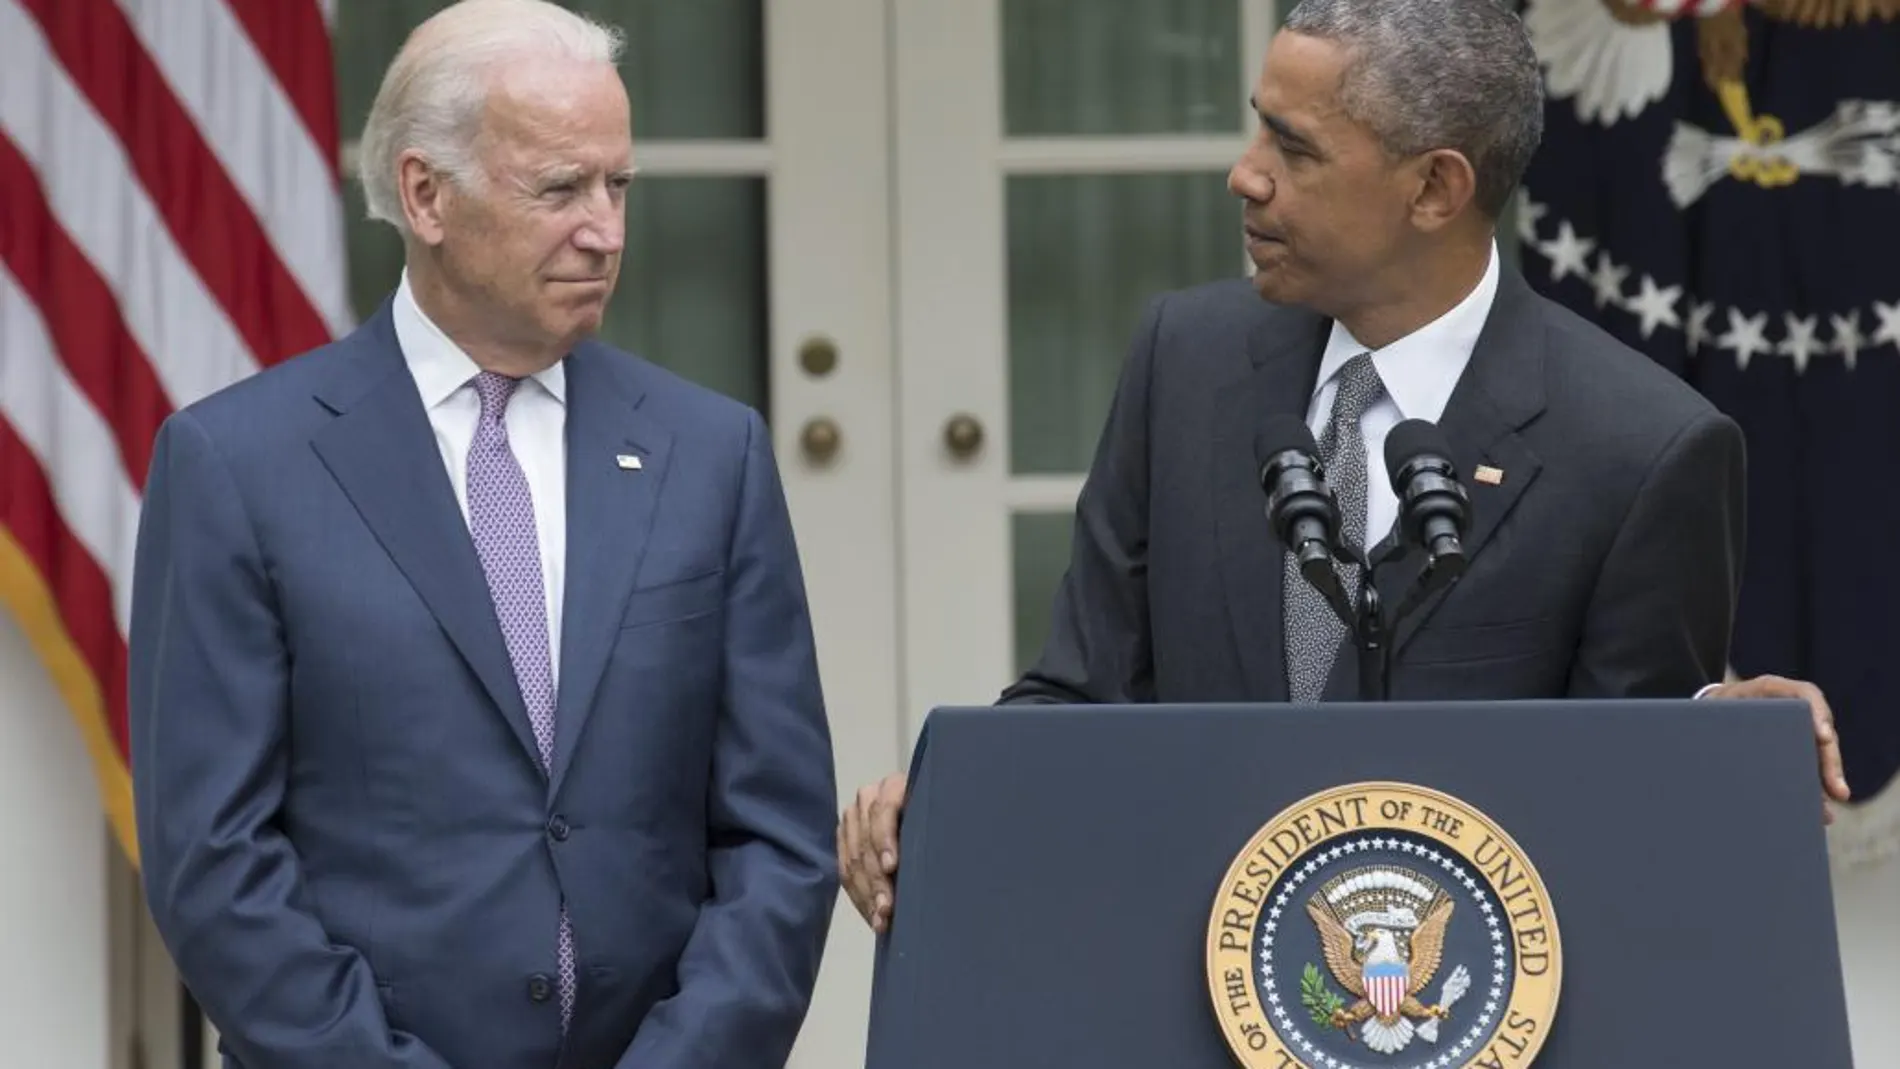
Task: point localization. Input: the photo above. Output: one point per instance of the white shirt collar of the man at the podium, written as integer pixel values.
(1422, 369)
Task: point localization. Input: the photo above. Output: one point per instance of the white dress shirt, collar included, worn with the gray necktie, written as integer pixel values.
(1420, 373)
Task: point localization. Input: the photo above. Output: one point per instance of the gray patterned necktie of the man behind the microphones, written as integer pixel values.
(1314, 633)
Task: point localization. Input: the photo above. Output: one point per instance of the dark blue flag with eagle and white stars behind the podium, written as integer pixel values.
(1720, 189)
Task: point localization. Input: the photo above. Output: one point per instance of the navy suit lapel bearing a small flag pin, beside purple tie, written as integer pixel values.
(611, 517)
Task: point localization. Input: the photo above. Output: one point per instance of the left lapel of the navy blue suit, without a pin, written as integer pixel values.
(383, 453)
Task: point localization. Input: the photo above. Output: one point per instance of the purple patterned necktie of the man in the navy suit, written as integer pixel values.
(503, 523)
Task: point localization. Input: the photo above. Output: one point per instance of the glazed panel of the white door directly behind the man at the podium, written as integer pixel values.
(1090, 244)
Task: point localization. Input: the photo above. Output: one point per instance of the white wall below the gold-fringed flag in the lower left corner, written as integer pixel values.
(54, 857)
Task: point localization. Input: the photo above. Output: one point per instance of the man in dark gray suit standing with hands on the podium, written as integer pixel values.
(1606, 548)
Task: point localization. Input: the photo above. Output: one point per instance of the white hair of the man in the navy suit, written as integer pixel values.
(434, 92)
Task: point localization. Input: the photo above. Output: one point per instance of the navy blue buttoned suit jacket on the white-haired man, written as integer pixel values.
(349, 840)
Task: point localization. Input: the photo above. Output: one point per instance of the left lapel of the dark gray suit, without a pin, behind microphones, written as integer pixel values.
(1283, 358)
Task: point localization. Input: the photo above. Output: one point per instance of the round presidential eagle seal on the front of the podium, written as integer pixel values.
(1382, 926)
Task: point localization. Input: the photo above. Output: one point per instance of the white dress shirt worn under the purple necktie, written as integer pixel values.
(535, 421)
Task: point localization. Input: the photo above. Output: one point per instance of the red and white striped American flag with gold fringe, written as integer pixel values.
(170, 223)
